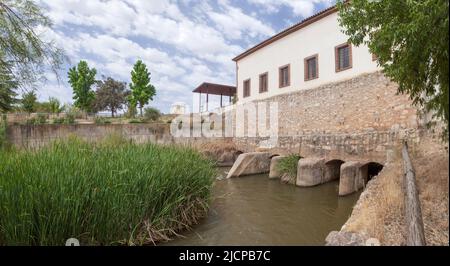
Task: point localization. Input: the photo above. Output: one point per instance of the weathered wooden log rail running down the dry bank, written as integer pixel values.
(414, 222)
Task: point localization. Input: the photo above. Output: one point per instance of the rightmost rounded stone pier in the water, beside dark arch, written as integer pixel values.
(353, 178)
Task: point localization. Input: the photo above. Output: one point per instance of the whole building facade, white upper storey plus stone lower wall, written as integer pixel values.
(332, 97)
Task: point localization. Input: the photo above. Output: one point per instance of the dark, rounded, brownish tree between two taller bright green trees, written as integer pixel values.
(110, 95)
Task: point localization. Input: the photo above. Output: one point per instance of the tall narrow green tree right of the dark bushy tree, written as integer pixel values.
(141, 90)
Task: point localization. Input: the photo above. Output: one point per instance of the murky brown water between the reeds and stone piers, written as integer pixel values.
(254, 210)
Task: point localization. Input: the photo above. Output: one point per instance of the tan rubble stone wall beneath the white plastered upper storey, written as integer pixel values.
(359, 117)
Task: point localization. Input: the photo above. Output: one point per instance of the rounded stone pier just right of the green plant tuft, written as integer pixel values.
(310, 172)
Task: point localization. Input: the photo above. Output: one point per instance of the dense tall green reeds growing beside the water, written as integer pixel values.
(113, 192)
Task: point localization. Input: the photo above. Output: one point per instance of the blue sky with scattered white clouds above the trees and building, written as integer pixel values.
(183, 43)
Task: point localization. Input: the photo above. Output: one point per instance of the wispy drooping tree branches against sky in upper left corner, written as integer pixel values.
(24, 55)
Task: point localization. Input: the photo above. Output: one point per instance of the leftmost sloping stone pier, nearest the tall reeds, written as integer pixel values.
(250, 163)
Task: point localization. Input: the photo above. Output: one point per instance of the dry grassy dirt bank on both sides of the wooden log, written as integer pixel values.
(380, 211)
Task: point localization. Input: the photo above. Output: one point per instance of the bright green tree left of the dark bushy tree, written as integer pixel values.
(81, 79)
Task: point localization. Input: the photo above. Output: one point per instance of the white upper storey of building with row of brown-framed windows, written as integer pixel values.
(309, 54)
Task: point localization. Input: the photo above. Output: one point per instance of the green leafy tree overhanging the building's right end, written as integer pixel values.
(411, 41)
